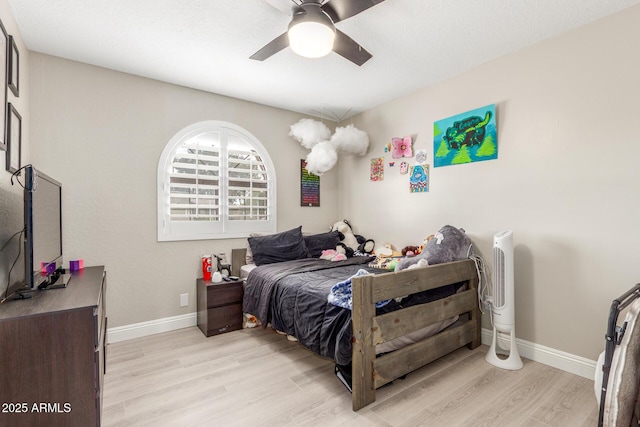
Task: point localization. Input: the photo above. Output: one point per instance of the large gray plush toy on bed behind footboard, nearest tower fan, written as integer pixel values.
(448, 244)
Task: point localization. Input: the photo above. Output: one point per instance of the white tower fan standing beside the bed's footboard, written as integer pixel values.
(503, 305)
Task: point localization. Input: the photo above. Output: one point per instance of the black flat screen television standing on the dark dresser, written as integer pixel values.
(43, 230)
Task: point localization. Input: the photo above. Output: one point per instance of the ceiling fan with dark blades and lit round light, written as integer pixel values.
(312, 32)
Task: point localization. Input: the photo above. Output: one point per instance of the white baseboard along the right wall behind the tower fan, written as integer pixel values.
(549, 356)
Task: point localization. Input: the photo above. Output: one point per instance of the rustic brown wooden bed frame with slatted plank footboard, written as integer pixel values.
(370, 372)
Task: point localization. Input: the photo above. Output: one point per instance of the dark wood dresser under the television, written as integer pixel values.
(52, 354)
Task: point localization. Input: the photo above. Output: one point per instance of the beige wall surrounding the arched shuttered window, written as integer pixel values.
(101, 134)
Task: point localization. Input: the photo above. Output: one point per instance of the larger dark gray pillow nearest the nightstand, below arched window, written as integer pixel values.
(285, 246)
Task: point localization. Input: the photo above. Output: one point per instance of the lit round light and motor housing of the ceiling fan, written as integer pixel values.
(311, 33)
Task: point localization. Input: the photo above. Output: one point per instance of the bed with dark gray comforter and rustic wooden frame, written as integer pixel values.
(439, 293)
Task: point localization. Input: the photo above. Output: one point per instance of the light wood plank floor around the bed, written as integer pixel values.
(255, 377)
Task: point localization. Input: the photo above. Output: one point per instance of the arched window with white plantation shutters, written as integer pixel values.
(215, 181)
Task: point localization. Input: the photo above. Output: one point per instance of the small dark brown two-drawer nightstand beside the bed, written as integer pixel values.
(219, 306)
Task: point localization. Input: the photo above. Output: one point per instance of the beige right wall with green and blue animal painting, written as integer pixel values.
(566, 180)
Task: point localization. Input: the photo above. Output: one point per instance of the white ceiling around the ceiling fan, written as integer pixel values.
(206, 44)
